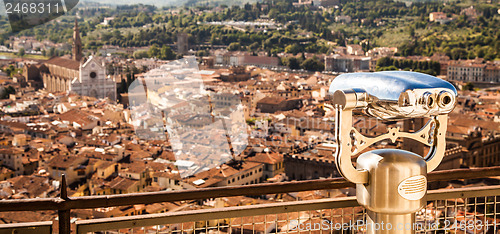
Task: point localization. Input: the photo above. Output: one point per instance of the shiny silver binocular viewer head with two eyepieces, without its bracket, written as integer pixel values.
(393, 95)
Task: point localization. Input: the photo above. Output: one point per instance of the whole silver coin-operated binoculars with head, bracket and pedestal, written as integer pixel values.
(390, 183)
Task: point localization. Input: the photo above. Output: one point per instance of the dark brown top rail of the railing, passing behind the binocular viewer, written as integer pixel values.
(88, 202)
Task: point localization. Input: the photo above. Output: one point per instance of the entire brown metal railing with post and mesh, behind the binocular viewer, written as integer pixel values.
(451, 208)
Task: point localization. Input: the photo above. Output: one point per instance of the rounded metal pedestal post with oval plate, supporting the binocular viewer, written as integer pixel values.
(395, 190)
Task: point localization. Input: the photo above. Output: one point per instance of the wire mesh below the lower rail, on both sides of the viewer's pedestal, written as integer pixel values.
(470, 215)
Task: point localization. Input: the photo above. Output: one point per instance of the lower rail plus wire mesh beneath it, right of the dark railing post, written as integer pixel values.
(469, 210)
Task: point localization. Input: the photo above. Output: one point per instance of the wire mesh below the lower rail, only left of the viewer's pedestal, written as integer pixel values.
(343, 220)
